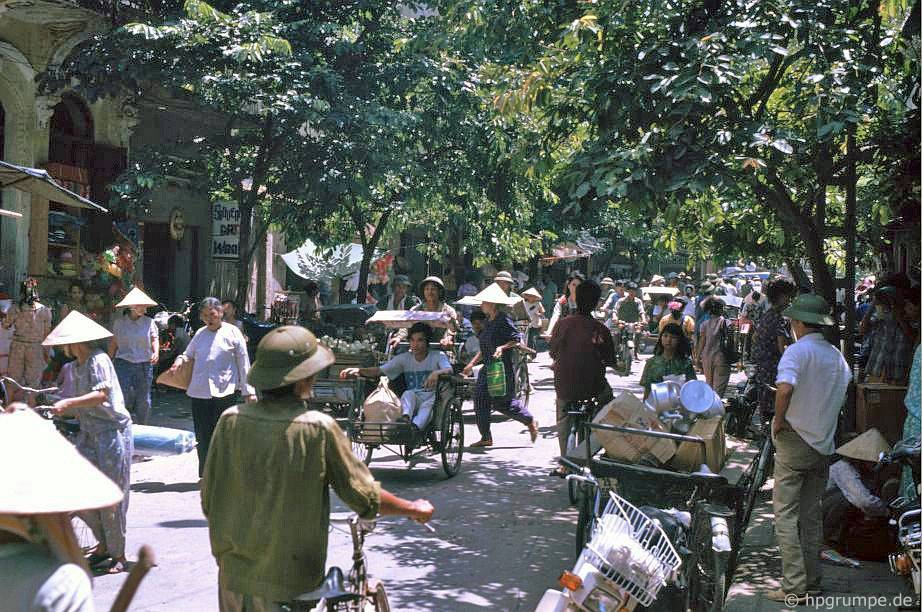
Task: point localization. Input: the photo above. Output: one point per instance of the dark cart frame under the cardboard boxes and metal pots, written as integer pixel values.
(719, 506)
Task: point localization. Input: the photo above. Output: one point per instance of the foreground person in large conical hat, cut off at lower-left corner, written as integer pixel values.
(41, 564)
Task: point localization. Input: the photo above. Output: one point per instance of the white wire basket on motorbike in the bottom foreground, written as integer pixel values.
(632, 551)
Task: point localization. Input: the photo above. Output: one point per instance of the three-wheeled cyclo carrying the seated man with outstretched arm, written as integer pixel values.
(443, 434)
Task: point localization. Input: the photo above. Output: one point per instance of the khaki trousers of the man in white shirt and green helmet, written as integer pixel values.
(801, 473)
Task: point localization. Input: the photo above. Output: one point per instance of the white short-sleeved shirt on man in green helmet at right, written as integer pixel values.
(820, 376)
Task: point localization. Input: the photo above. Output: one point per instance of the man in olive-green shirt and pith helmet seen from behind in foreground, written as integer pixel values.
(301, 454)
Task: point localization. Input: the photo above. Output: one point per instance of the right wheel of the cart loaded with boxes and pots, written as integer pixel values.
(707, 580)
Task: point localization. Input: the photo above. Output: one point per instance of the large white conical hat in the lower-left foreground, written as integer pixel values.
(49, 474)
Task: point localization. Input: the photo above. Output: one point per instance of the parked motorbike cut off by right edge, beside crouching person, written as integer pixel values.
(906, 514)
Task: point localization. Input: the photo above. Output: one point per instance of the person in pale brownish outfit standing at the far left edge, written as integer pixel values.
(32, 322)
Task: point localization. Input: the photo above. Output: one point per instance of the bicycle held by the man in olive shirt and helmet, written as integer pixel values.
(364, 593)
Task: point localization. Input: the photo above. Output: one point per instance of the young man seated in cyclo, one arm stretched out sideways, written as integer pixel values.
(421, 369)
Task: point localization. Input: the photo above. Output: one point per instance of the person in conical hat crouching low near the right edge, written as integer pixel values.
(852, 486)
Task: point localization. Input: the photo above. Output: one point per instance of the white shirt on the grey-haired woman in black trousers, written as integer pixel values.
(221, 363)
